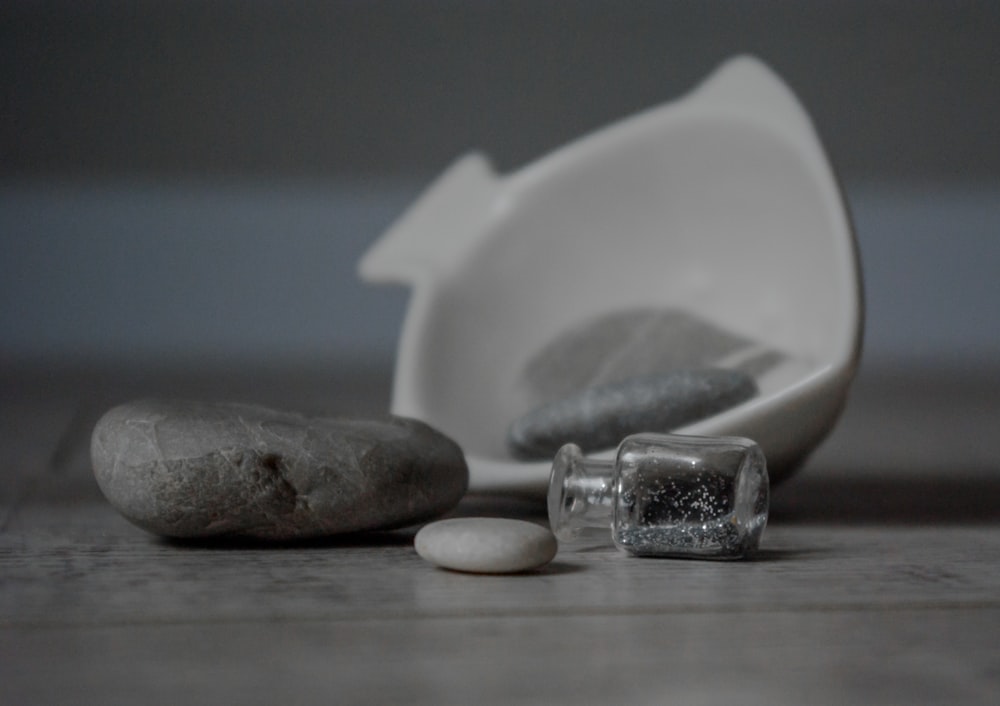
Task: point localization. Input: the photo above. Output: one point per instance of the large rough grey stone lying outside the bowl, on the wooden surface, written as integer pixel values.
(203, 469)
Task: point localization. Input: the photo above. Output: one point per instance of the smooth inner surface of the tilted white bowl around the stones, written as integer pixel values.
(718, 220)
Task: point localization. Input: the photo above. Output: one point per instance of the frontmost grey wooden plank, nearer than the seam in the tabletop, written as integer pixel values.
(939, 656)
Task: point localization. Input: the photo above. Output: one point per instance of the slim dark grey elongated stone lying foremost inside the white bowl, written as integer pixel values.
(600, 417)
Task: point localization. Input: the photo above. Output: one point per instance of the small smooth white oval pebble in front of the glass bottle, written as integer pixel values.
(486, 545)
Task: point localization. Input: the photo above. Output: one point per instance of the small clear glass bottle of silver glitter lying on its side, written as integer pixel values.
(665, 495)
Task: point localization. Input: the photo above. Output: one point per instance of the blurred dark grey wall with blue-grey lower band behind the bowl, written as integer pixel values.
(195, 181)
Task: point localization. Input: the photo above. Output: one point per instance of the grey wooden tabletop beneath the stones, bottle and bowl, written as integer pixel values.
(878, 581)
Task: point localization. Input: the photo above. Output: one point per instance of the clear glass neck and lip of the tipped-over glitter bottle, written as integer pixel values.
(581, 493)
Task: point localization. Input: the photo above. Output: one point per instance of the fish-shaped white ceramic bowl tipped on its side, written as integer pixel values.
(721, 204)
